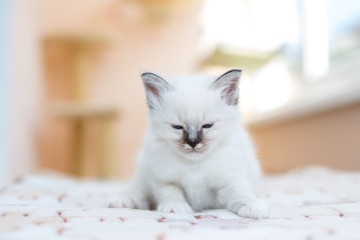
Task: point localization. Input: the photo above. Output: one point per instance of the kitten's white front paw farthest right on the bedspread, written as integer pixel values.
(256, 210)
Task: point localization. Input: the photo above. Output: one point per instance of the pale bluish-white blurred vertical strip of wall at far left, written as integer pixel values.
(20, 83)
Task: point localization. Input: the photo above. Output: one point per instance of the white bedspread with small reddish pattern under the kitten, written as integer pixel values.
(310, 203)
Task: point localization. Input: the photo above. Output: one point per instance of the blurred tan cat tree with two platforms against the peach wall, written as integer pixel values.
(78, 110)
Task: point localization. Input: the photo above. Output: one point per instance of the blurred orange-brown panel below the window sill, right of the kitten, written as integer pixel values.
(327, 138)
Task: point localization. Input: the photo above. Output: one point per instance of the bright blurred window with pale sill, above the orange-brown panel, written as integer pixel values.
(295, 52)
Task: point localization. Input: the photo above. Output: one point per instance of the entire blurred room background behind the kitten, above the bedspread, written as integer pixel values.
(72, 100)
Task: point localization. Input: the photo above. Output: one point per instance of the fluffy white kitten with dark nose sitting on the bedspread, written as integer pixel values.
(196, 154)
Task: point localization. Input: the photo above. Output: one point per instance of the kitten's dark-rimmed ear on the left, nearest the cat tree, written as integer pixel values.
(155, 87)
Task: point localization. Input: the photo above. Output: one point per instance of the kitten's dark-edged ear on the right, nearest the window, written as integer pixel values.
(228, 85)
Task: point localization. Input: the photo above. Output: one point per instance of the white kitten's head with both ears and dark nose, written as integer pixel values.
(192, 115)
